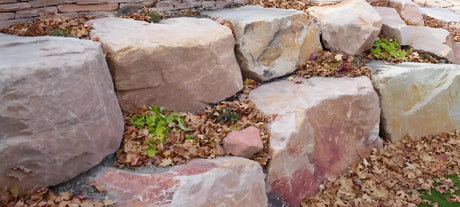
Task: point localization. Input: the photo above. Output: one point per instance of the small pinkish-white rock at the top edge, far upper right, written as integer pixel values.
(408, 10)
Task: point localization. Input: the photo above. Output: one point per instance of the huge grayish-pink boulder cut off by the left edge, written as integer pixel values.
(59, 115)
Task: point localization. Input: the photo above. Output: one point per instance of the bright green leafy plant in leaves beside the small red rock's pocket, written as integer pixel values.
(158, 124)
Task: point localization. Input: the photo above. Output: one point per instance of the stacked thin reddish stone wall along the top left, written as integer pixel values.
(20, 11)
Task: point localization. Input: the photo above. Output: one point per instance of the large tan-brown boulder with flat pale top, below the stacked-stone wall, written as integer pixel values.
(180, 64)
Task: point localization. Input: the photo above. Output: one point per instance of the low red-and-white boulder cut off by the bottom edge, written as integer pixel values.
(224, 181)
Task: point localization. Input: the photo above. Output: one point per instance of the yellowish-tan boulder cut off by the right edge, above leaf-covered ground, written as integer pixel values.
(417, 98)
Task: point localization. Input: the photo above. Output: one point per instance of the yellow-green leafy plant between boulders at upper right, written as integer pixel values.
(384, 48)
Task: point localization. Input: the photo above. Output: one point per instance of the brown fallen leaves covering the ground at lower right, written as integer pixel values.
(400, 174)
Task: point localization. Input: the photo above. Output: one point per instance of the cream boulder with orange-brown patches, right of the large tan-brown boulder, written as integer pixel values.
(270, 42)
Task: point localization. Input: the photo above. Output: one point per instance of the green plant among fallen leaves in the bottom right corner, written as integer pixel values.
(442, 198)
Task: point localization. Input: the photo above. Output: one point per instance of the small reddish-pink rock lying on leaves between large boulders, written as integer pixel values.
(244, 143)
